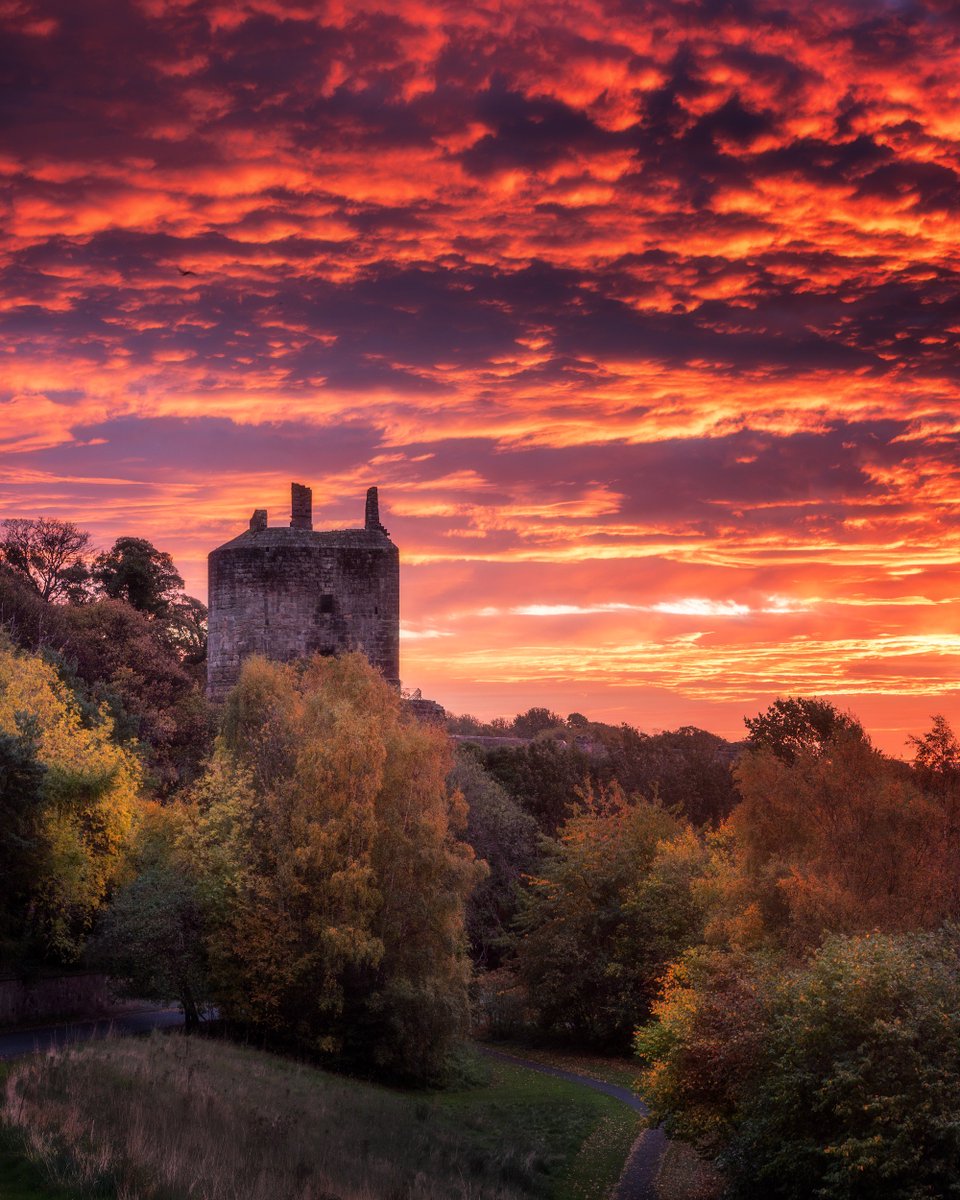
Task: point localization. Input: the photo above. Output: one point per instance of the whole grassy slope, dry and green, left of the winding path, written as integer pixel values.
(170, 1117)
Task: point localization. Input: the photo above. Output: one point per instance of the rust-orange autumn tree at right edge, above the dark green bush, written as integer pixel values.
(837, 838)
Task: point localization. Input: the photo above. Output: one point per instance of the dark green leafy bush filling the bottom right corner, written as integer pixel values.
(860, 1083)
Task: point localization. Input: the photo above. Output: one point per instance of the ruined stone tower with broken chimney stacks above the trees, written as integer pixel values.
(287, 593)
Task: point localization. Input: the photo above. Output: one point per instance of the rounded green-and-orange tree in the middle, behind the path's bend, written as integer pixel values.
(611, 905)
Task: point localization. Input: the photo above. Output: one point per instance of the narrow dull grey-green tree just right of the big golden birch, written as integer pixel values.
(505, 837)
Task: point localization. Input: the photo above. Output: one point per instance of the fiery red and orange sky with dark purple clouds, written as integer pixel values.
(644, 317)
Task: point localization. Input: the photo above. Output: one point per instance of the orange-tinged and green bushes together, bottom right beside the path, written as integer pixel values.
(841, 1078)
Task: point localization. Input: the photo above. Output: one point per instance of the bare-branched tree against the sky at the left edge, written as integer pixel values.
(50, 555)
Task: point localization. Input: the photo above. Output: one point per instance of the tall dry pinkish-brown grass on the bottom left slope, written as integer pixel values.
(175, 1118)
